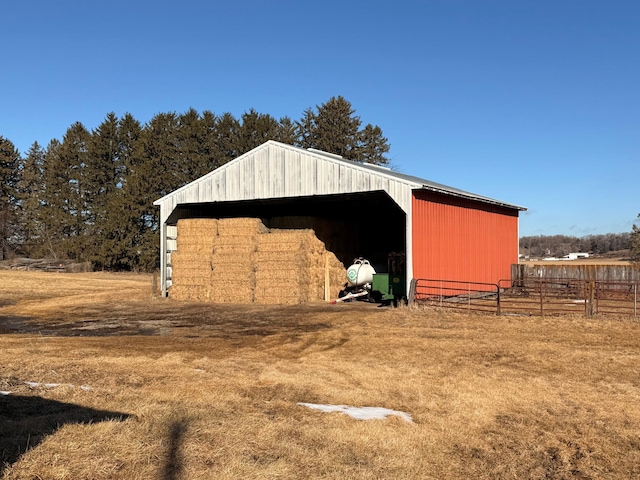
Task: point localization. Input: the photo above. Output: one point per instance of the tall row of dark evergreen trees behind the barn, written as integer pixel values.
(89, 197)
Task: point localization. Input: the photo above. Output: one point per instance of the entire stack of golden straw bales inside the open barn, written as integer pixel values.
(239, 260)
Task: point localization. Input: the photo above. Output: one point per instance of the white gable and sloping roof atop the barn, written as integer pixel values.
(277, 170)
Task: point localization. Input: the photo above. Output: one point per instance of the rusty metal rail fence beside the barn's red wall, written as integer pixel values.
(532, 296)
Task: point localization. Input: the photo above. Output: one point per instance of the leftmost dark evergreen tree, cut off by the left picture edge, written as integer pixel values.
(9, 163)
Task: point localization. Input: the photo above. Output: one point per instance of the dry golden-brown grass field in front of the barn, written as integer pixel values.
(146, 388)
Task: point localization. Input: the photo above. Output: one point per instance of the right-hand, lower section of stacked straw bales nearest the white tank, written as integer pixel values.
(293, 266)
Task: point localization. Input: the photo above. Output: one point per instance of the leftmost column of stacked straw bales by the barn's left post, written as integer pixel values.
(191, 267)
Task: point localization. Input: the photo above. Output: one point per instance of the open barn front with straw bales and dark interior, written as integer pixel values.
(280, 250)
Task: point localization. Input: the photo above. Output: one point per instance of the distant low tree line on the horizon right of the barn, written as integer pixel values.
(561, 245)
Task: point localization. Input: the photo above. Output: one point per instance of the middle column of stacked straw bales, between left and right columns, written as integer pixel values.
(233, 279)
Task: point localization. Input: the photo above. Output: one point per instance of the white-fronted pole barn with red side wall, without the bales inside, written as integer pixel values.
(355, 209)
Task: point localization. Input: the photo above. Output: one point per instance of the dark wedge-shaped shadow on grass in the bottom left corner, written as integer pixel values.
(26, 421)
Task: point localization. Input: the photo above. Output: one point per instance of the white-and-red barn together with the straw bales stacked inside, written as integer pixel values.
(280, 224)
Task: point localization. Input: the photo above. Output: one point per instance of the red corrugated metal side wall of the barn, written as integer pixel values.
(460, 239)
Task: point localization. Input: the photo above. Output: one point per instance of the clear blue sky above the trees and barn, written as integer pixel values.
(532, 102)
